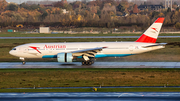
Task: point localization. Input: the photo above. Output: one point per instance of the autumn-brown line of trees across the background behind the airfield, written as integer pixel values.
(97, 13)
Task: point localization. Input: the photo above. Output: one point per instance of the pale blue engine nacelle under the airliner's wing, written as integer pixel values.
(64, 57)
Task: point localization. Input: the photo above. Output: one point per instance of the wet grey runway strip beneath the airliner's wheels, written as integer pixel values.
(95, 65)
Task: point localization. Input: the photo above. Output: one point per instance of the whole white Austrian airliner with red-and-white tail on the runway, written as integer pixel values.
(69, 52)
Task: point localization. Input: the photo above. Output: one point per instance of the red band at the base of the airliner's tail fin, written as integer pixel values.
(147, 39)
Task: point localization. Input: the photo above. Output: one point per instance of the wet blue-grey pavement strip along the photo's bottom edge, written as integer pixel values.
(92, 96)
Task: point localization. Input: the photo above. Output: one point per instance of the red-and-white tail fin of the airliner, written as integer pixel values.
(151, 34)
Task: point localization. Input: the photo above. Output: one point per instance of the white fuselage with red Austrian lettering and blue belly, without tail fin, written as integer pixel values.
(50, 50)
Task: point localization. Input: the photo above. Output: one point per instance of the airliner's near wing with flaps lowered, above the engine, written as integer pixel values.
(88, 52)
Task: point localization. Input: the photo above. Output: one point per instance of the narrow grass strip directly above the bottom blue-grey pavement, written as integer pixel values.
(90, 90)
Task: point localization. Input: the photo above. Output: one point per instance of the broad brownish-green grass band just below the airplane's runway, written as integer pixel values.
(88, 77)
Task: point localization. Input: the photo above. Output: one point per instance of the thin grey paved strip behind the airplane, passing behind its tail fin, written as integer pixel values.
(83, 37)
